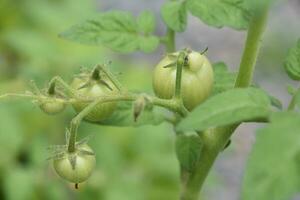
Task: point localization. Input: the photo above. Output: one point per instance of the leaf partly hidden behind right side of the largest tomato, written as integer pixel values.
(223, 79)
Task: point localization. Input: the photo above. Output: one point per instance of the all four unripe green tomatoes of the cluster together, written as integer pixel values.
(196, 85)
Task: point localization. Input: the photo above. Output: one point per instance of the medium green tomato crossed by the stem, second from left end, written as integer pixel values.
(93, 90)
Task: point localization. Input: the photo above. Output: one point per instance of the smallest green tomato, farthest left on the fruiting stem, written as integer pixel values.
(52, 106)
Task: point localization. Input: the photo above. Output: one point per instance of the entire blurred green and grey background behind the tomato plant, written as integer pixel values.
(132, 163)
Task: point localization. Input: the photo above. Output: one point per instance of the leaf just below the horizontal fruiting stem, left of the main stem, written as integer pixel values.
(123, 116)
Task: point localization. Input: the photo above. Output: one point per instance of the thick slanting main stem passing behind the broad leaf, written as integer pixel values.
(215, 139)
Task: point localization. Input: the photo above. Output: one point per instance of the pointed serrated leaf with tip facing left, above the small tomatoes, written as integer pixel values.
(116, 30)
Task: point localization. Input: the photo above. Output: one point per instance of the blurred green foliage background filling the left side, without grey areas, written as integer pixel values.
(132, 163)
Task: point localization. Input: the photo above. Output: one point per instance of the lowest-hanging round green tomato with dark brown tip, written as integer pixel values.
(83, 166)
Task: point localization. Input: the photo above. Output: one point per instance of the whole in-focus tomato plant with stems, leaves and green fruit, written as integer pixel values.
(184, 82)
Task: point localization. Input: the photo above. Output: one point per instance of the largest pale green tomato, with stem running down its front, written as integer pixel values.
(196, 83)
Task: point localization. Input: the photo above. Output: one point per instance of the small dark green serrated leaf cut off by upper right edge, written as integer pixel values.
(292, 62)
